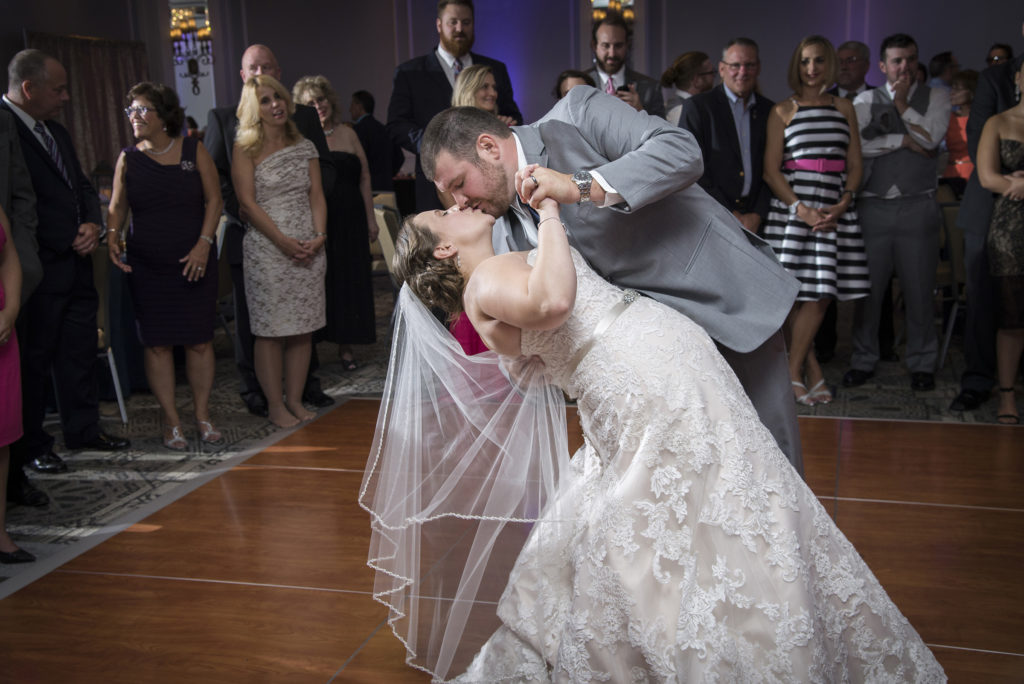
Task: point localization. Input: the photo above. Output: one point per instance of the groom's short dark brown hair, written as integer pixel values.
(455, 132)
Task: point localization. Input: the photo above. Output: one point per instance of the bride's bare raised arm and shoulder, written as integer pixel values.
(506, 289)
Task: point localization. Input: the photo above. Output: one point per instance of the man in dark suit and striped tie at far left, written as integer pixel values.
(59, 323)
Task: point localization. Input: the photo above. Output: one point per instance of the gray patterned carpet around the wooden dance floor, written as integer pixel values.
(104, 494)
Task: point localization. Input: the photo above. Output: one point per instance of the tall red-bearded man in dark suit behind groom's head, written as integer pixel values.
(423, 88)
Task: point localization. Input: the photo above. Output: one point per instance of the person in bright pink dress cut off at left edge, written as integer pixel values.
(11, 380)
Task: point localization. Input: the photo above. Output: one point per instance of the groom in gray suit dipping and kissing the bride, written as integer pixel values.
(627, 183)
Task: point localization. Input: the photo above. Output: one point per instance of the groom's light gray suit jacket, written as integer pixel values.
(669, 238)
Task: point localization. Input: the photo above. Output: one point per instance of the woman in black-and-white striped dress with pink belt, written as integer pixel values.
(813, 165)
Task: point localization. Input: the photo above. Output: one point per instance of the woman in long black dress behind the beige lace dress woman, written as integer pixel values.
(352, 226)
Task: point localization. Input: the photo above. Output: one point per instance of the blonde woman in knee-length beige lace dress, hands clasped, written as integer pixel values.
(277, 179)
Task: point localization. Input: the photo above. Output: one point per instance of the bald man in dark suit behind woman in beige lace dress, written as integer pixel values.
(220, 140)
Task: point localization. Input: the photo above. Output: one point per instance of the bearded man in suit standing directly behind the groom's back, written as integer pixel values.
(612, 41)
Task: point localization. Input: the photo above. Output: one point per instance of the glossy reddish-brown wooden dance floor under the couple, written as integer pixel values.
(261, 575)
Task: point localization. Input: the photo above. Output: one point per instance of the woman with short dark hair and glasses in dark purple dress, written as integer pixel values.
(172, 186)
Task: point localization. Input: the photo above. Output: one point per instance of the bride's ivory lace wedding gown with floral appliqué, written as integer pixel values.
(699, 553)
